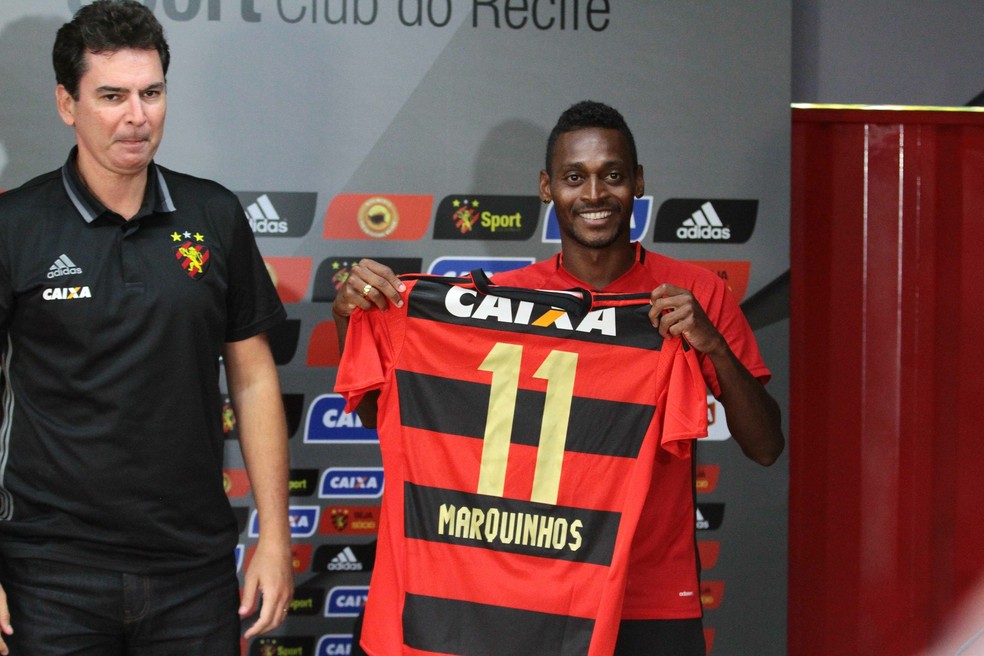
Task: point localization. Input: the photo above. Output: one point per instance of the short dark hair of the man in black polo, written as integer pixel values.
(105, 26)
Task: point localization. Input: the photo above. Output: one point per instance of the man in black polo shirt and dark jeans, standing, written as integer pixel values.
(123, 288)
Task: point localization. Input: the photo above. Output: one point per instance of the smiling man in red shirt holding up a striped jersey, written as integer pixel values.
(592, 175)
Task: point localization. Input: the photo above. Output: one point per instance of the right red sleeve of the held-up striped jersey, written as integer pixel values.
(685, 402)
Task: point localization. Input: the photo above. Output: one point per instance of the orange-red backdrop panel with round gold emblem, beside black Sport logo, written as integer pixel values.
(378, 216)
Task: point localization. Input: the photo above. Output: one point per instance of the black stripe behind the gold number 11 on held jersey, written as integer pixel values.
(457, 407)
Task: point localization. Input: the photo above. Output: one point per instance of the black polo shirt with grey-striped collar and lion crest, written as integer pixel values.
(111, 331)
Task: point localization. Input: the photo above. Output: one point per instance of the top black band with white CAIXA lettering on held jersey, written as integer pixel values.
(619, 323)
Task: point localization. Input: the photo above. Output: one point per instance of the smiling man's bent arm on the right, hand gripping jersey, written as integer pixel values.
(753, 415)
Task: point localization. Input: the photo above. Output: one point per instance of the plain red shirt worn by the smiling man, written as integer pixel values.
(663, 572)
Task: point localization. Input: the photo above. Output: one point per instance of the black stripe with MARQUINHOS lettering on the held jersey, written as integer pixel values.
(513, 526)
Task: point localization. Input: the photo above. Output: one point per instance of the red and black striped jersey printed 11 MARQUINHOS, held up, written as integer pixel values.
(518, 431)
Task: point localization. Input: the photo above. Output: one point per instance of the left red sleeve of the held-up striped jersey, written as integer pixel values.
(365, 360)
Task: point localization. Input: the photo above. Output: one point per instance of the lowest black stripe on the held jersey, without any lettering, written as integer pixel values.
(450, 626)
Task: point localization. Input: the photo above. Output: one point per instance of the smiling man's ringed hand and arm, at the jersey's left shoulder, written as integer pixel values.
(369, 285)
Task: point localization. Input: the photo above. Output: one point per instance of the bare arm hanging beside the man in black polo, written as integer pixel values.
(254, 388)
